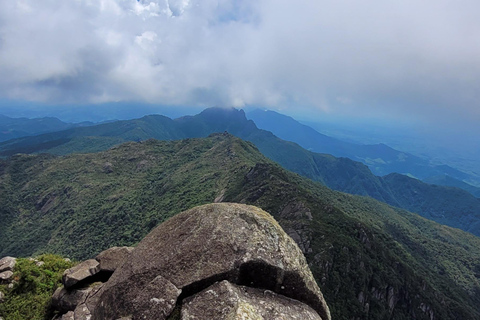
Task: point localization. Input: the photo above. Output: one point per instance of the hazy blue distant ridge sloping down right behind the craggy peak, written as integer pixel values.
(380, 158)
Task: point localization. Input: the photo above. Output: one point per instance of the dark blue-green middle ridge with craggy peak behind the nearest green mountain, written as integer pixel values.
(342, 174)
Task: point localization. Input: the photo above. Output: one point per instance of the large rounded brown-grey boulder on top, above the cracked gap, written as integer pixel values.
(191, 251)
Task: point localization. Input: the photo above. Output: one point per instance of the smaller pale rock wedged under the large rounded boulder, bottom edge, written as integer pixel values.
(224, 300)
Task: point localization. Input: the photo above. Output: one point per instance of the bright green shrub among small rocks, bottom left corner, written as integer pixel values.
(35, 280)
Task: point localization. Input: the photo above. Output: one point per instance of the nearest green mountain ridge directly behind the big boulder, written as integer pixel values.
(372, 261)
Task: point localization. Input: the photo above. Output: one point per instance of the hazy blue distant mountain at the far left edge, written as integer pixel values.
(11, 128)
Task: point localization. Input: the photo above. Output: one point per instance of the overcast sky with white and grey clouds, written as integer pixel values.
(404, 59)
